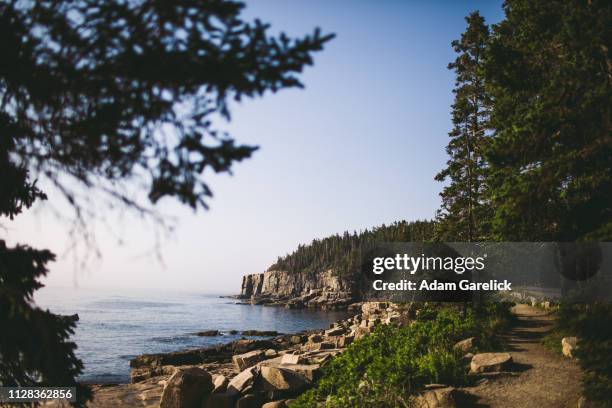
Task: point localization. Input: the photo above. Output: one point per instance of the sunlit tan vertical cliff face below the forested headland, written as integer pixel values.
(322, 289)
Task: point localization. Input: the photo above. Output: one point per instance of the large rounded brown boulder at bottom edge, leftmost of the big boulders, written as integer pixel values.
(186, 388)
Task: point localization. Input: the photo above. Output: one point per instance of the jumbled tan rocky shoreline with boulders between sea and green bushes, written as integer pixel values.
(243, 373)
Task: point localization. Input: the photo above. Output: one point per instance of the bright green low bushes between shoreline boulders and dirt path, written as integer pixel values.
(387, 367)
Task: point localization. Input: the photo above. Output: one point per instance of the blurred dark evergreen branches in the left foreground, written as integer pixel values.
(110, 93)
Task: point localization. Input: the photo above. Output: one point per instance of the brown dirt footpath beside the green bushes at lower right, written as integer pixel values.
(542, 379)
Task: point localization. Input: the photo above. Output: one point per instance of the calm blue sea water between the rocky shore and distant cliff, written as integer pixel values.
(116, 326)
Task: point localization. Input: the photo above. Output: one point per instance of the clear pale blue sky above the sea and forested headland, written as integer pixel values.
(357, 147)
